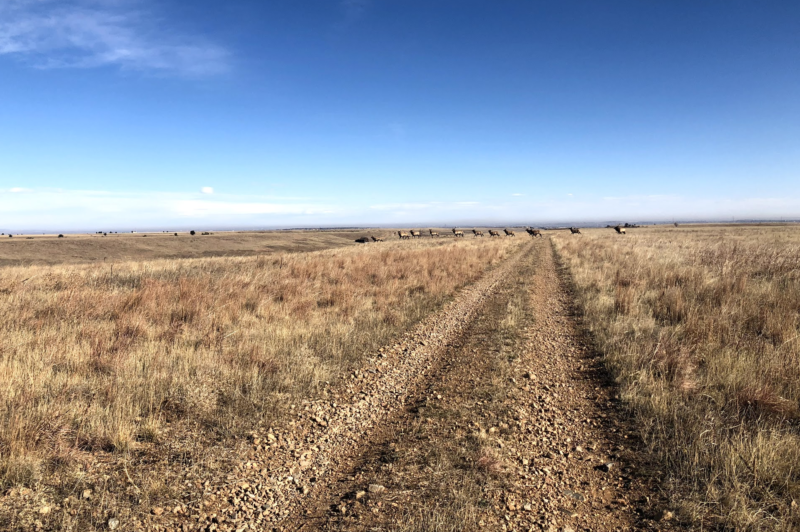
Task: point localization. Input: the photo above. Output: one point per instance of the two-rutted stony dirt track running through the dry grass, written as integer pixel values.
(493, 414)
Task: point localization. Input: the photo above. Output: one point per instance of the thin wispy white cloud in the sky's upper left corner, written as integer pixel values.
(95, 33)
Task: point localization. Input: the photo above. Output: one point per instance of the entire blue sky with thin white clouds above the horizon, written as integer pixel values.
(145, 114)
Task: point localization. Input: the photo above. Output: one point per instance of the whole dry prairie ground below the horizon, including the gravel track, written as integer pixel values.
(596, 381)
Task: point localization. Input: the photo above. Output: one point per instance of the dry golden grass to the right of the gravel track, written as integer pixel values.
(701, 325)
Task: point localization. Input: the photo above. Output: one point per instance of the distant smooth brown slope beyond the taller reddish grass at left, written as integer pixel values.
(26, 250)
